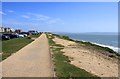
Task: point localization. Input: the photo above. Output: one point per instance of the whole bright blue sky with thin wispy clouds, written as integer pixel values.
(61, 16)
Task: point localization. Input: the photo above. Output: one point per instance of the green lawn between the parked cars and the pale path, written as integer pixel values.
(11, 46)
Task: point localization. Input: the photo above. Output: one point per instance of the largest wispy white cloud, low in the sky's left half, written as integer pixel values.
(34, 20)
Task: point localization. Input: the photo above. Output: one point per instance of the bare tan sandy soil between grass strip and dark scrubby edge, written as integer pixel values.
(91, 61)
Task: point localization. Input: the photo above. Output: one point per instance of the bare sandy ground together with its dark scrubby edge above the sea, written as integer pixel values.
(90, 57)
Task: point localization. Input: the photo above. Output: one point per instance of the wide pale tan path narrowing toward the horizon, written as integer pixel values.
(31, 61)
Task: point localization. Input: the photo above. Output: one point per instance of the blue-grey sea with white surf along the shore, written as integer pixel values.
(104, 39)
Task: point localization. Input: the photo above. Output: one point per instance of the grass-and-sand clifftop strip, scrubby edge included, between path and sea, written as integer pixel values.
(85, 57)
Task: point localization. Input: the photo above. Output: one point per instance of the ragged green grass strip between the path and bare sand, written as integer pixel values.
(63, 68)
